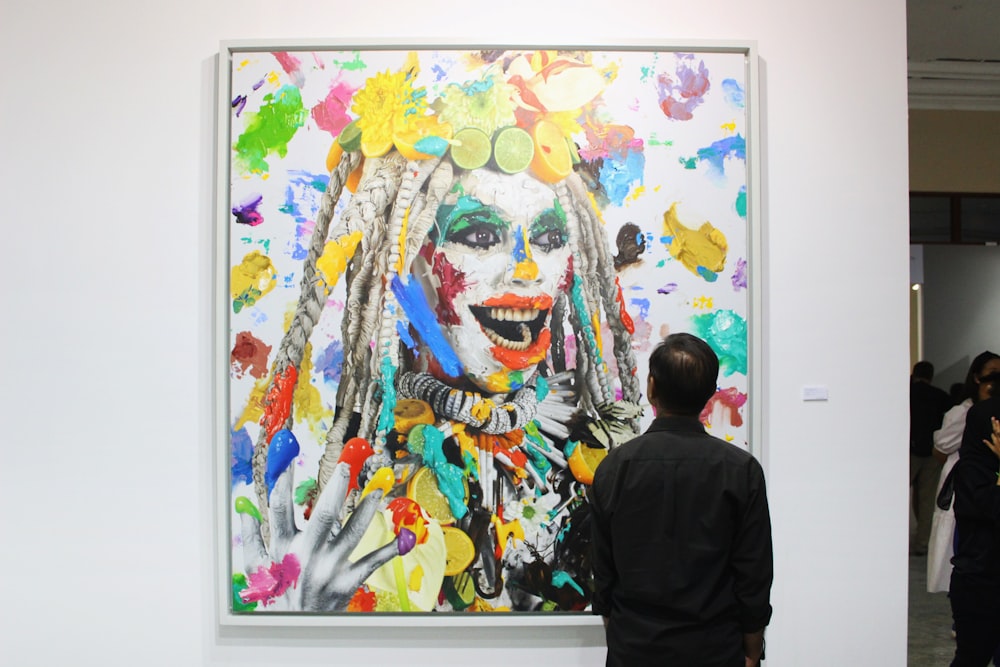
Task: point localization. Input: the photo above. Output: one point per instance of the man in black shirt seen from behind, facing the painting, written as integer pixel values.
(681, 531)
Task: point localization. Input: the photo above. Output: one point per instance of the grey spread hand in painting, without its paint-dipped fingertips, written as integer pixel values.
(309, 570)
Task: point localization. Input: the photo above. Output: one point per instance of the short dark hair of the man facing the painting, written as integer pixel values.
(684, 371)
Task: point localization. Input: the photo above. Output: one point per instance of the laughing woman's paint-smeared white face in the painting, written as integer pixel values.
(492, 267)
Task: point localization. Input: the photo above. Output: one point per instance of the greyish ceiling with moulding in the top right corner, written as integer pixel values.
(953, 49)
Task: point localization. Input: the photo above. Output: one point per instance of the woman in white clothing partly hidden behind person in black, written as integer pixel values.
(947, 441)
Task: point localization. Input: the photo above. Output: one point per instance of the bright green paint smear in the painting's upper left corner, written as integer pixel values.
(270, 129)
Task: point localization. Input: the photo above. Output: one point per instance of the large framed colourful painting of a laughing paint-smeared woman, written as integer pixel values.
(441, 272)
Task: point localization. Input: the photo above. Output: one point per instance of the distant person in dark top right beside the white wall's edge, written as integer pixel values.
(927, 407)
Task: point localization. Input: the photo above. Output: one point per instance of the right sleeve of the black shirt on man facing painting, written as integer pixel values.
(753, 559)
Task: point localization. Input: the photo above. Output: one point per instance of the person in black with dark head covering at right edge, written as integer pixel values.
(975, 578)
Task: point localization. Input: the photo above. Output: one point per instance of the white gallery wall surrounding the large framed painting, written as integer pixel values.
(107, 128)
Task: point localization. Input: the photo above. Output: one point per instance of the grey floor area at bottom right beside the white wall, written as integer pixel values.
(929, 642)
